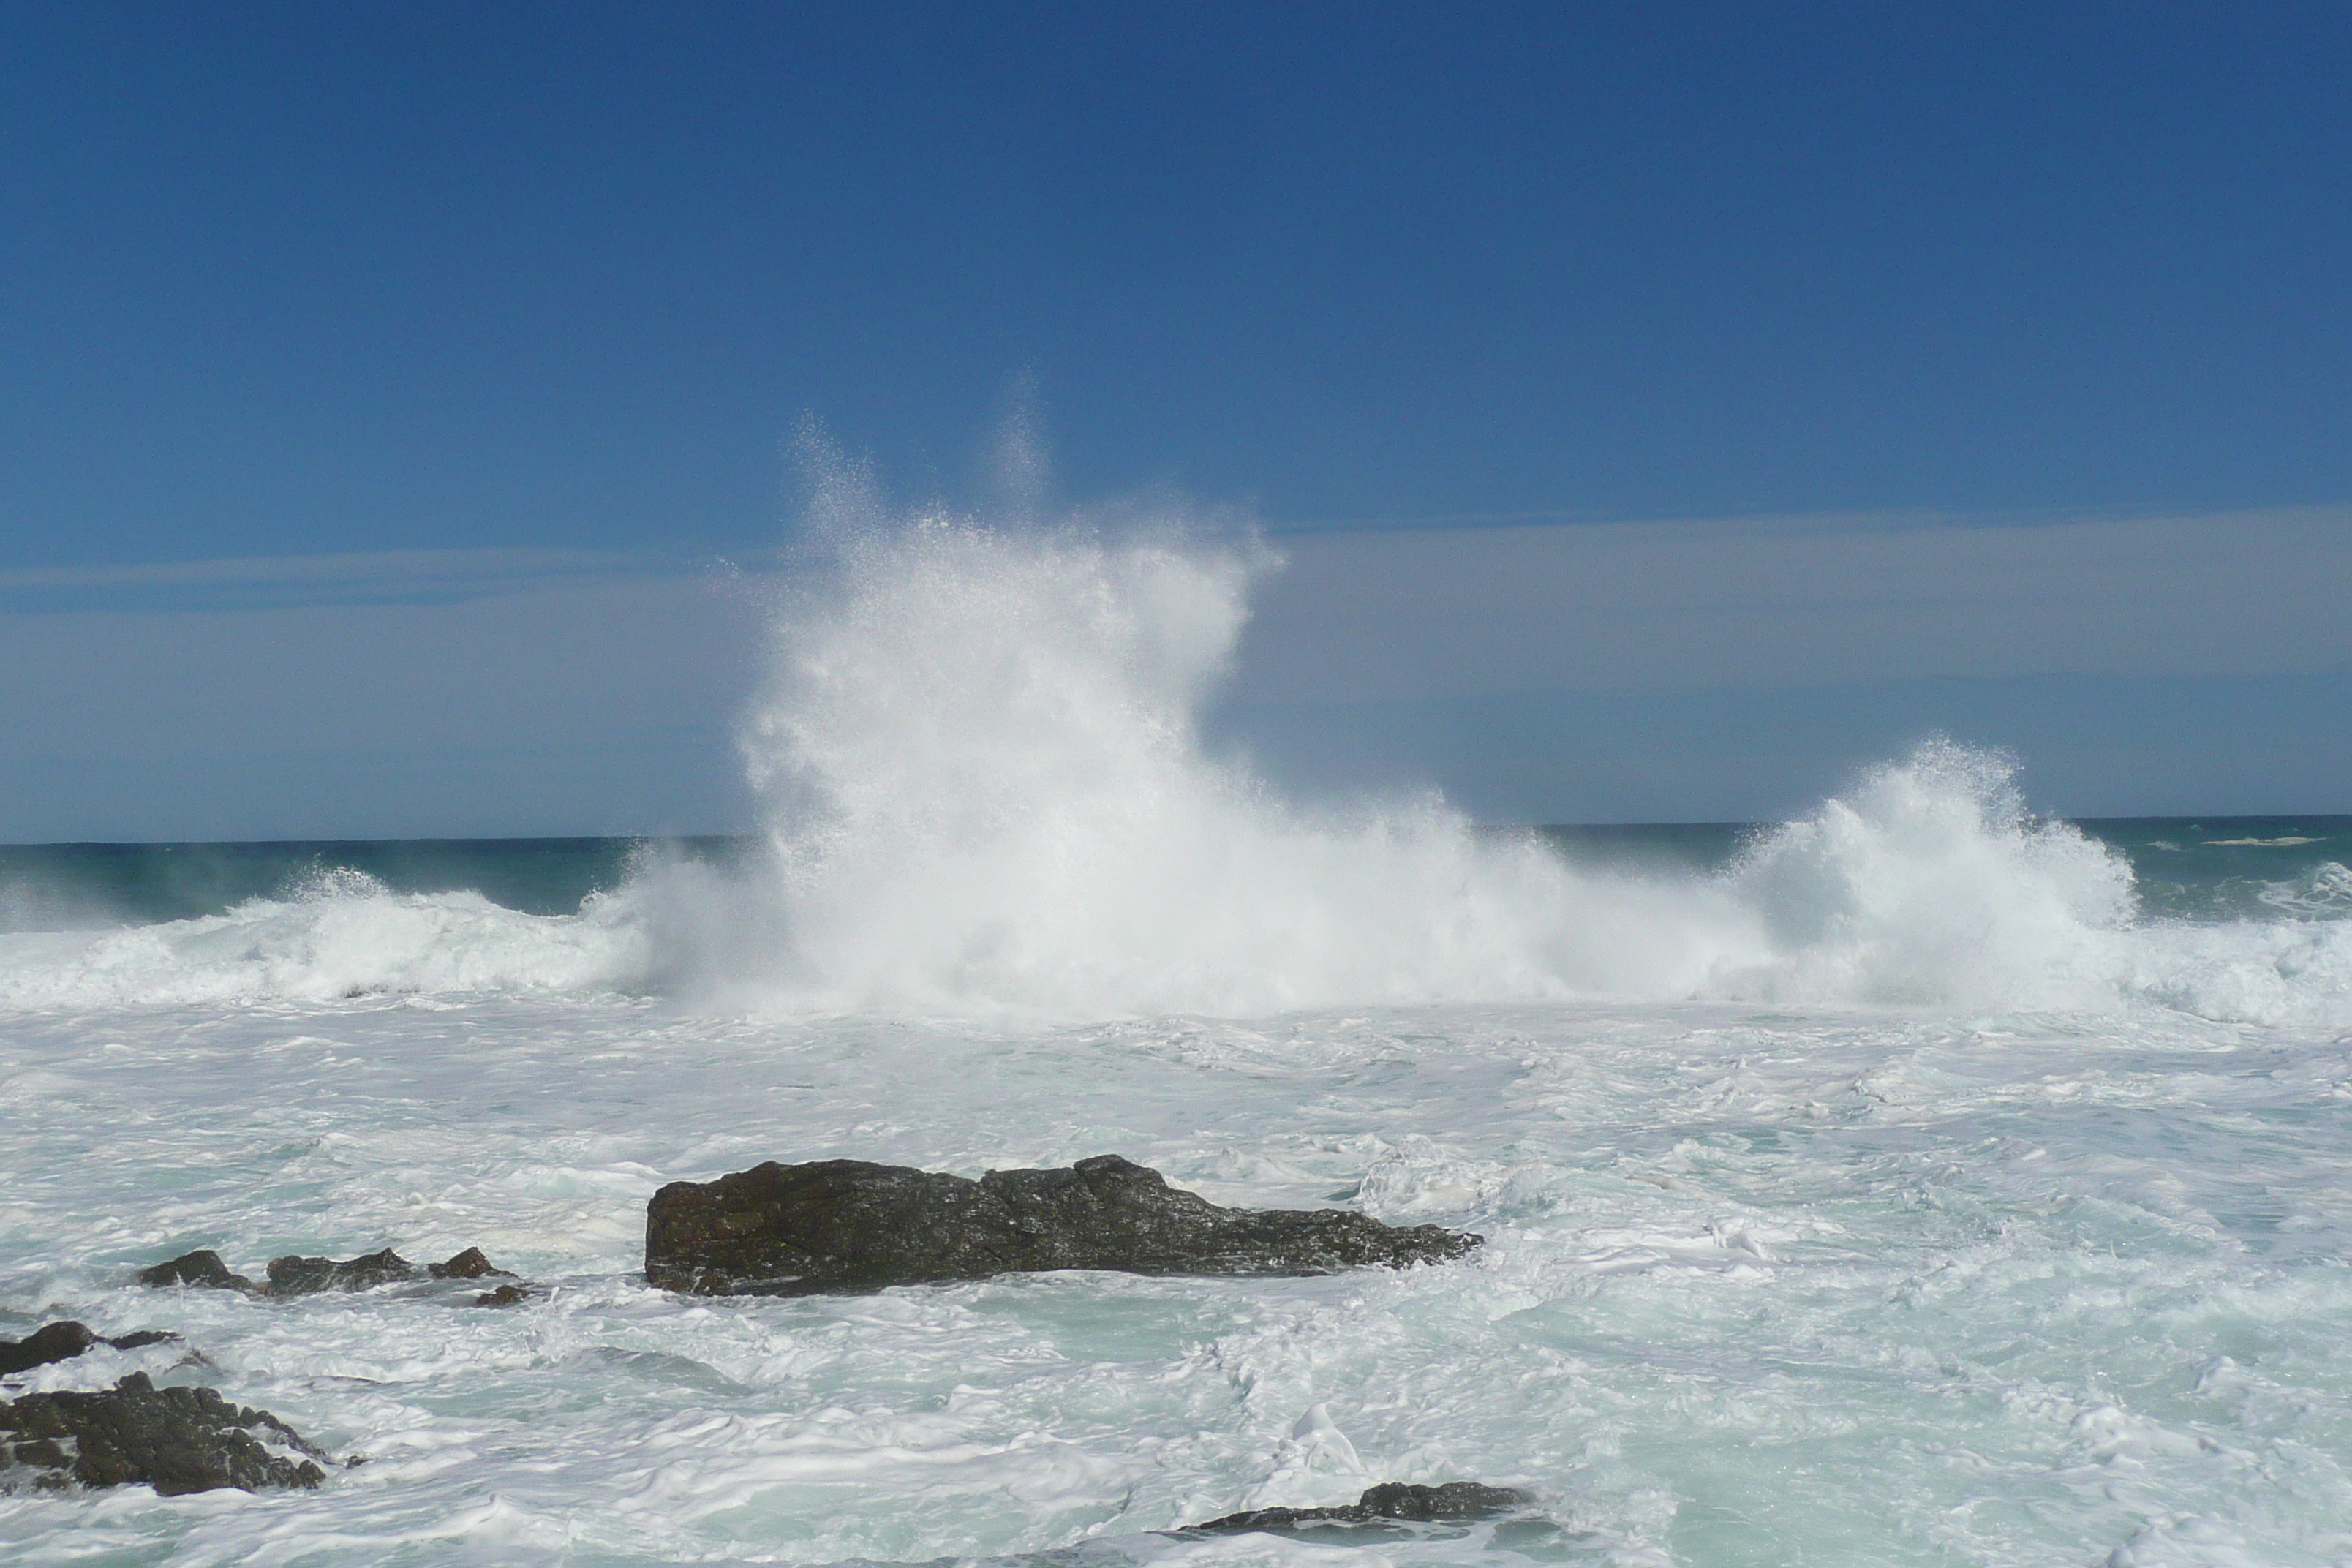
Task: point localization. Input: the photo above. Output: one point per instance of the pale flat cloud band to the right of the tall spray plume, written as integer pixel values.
(1798, 603)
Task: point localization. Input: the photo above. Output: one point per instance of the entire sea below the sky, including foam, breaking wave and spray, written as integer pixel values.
(1920, 1181)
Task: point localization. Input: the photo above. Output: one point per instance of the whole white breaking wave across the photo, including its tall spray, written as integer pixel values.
(987, 791)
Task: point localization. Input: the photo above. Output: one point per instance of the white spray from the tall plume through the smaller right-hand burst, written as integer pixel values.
(989, 791)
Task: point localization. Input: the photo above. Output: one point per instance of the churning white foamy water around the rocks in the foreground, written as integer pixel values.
(1763, 1285)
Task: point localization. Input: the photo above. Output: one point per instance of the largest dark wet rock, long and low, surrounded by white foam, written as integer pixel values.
(855, 1226)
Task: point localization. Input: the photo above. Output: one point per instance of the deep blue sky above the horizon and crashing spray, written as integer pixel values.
(509, 297)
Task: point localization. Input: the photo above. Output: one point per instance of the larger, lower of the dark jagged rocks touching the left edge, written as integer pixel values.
(173, 1440)
